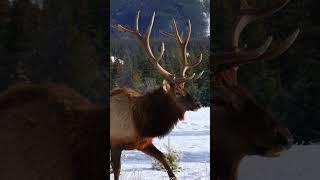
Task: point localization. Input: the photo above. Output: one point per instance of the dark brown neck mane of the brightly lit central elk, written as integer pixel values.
(155, 114)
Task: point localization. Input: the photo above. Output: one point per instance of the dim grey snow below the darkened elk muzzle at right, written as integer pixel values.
(299, 163)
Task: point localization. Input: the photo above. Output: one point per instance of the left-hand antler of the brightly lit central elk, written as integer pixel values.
(146, 42)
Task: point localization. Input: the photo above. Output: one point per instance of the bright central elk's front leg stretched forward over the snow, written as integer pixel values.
(152, 151)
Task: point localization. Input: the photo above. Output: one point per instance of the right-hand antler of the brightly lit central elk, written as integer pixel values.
(185, 63)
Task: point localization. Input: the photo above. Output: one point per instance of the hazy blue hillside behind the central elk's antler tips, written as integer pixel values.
(124, 11)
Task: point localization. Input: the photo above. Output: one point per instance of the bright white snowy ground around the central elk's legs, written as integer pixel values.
(190, 137)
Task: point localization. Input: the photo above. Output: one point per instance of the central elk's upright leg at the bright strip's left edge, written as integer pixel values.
(116, 161)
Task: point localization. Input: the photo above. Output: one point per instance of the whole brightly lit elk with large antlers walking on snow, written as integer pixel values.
(136, 119)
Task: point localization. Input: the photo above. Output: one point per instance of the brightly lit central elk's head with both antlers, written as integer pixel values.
(172, 86)
